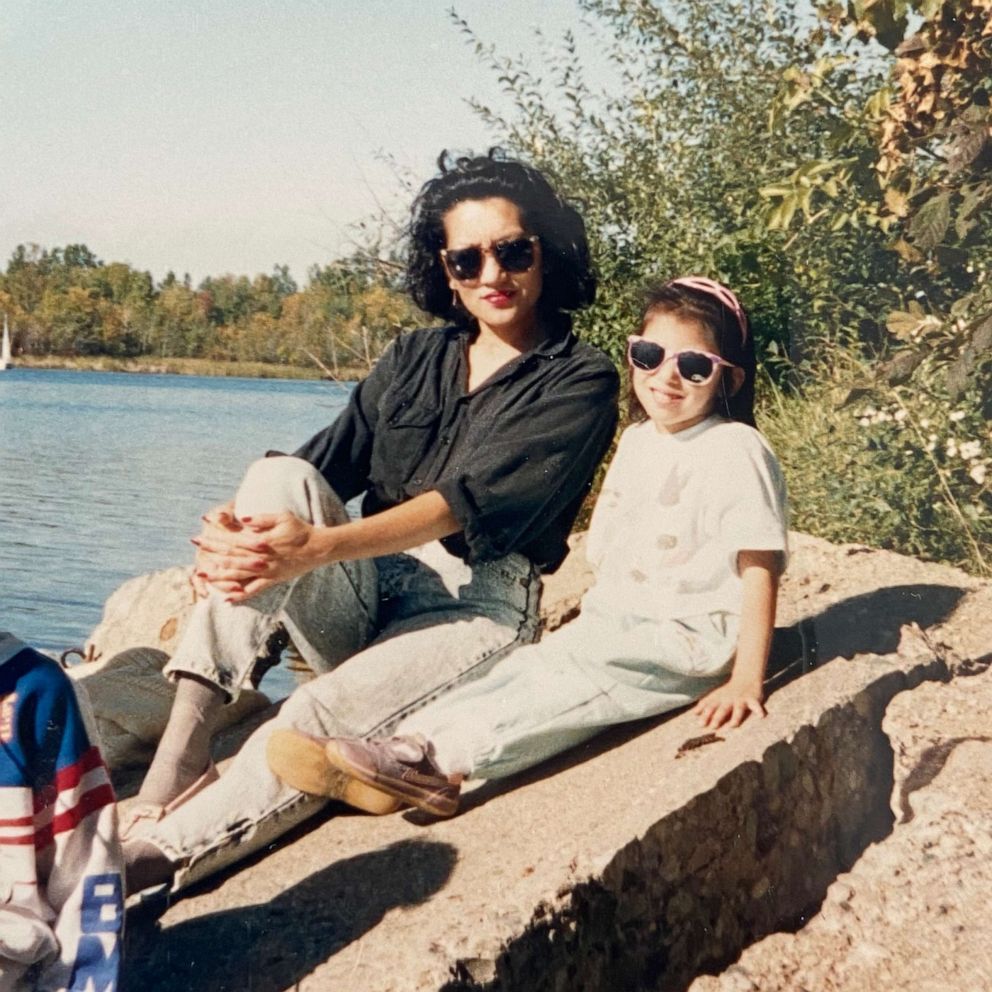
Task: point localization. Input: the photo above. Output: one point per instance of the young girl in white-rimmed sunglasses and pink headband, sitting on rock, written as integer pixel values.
(687, 541)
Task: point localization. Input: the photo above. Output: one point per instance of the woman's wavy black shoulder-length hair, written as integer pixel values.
(569, 282)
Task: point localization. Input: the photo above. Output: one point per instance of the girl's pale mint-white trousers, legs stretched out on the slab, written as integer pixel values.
(597, 671)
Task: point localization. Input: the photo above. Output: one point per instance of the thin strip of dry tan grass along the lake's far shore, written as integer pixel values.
(187, 366)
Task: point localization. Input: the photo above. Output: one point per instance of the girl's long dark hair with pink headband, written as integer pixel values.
(688, 303)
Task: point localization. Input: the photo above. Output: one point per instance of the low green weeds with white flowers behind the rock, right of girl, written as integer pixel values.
(886, 477)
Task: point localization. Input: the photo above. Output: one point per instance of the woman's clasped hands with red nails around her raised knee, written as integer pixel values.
(271, 548)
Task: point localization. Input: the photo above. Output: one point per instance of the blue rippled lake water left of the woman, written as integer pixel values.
(104, 476)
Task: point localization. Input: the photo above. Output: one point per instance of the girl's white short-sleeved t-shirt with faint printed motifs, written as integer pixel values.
(673, 513)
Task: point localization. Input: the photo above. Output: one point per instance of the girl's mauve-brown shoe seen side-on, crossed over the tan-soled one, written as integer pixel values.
(402, 766)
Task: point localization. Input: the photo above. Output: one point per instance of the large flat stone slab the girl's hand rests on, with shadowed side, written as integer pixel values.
(636, 862)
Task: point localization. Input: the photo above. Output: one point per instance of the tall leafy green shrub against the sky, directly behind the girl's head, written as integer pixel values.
(669, 161)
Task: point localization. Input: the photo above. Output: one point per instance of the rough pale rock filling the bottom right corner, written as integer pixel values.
(912, 913)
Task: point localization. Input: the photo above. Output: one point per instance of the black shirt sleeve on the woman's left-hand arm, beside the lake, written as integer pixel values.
(342, 451)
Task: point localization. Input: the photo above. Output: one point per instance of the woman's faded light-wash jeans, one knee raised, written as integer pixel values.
(389, 636)
